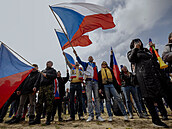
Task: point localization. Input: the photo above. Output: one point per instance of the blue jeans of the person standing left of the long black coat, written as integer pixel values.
(127, 90)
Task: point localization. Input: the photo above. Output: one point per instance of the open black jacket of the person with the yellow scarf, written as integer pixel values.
(115, 84)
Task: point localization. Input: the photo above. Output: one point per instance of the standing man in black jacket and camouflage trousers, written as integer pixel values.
(46, 93)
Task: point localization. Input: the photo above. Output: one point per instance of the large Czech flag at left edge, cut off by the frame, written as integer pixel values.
(12, 73)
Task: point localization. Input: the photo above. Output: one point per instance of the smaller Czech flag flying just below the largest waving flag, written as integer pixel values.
(82, 41)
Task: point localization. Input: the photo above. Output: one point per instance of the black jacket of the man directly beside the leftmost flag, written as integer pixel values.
(31, 81)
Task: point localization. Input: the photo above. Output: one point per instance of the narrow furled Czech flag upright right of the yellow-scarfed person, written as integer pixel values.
(115, 68)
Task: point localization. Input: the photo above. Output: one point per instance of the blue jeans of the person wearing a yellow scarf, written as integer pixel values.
(111, 89)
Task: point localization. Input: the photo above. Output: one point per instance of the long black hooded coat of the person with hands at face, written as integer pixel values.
(147, 72)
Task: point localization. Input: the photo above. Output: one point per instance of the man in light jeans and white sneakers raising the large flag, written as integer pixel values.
(91, 73)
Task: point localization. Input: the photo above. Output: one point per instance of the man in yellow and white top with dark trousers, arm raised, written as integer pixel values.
(75, 85)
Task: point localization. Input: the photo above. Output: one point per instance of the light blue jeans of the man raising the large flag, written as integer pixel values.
(92, 86)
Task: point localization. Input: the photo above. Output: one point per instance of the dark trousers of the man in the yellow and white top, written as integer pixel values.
(78, 88)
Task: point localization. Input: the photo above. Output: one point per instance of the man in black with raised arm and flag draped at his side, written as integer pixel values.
(59, 94)
